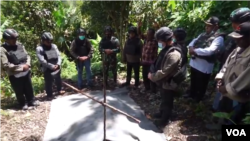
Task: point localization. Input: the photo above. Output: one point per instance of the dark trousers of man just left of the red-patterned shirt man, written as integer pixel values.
(136, 68)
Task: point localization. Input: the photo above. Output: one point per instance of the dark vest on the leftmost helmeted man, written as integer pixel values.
(16, 54)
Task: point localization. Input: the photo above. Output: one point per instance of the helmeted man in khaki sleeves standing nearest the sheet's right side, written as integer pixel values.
(166, 72)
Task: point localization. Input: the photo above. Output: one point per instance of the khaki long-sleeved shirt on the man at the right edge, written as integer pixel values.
(235, 75)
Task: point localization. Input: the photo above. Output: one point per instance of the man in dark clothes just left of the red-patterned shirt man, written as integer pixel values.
(132, 56)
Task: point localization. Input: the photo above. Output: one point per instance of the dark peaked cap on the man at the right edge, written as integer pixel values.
(242, 30)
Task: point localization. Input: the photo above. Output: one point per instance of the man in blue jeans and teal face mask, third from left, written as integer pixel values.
(82, 50)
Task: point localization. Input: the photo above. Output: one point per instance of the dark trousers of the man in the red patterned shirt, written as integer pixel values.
(148, 84)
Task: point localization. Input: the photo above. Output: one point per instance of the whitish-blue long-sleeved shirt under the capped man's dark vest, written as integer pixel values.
(201, 64)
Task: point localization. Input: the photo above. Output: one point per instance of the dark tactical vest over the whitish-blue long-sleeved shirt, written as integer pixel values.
(205, 40)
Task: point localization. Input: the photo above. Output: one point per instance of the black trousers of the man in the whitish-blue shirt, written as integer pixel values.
(199, 83)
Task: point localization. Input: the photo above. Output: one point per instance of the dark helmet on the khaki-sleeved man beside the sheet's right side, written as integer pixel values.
(164, 33)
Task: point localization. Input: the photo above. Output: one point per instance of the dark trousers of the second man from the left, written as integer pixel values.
(49, 79)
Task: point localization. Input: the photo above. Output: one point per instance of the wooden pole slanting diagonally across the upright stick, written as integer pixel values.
(102, 103)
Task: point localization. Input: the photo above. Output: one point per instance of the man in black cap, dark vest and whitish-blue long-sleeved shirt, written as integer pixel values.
(204, 50)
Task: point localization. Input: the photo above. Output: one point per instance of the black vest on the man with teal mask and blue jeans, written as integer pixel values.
(82, 48)
